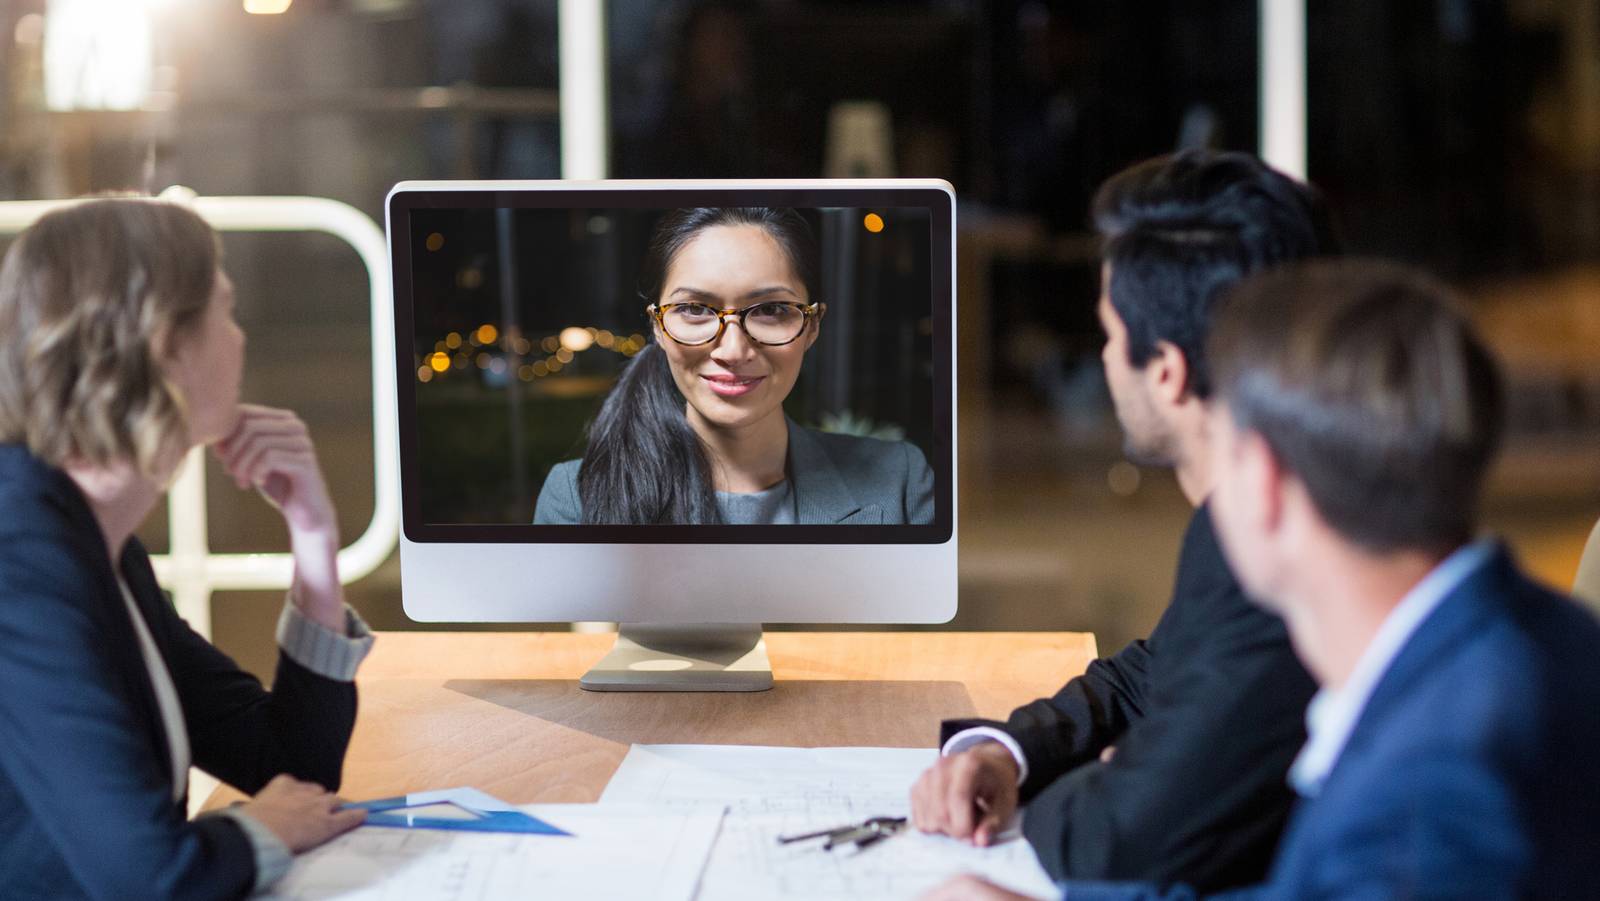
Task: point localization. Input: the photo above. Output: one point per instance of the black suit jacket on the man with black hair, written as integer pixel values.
(1207, 718)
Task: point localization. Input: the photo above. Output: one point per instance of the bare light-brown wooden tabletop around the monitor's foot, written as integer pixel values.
(503, 711)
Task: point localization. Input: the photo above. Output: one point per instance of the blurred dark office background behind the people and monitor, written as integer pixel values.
(1463, 135)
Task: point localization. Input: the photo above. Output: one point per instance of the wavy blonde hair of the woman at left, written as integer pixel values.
(92, 300)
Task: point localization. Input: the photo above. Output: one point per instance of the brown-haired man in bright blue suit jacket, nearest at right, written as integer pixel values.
(1455, 739)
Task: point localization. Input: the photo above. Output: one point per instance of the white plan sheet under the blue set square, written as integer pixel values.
(615, 852)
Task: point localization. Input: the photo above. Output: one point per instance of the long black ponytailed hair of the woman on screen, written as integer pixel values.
(644, 463)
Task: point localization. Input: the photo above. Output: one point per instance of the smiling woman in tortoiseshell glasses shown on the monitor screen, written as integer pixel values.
(695, 430)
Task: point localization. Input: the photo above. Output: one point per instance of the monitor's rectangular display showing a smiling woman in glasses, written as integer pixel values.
(601, 361)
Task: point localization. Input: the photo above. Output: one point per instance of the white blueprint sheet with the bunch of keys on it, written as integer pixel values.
(780, 791)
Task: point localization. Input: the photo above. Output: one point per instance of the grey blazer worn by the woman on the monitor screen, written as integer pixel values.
(838, 481)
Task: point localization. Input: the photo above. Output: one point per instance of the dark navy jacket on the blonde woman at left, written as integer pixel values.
(86, 779)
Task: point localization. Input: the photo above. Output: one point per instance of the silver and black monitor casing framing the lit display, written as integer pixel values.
(626, 567)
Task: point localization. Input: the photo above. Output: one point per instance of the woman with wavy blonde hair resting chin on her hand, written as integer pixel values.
(119, 353)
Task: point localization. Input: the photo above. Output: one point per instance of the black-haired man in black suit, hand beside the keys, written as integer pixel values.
(1164, 763)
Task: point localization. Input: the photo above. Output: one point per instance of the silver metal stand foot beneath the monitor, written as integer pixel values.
(711, 657)
